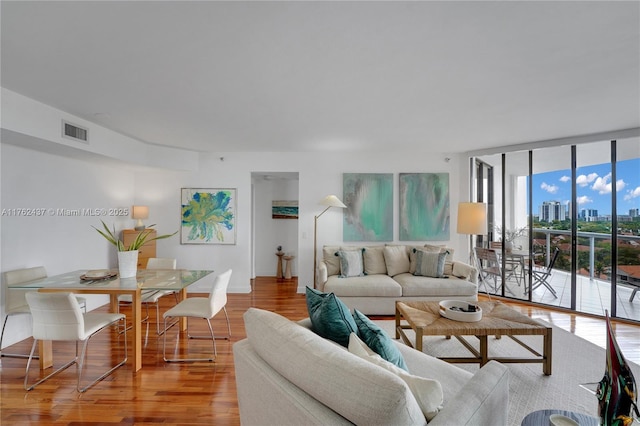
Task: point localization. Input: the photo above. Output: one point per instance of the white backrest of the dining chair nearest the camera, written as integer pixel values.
(56, 316)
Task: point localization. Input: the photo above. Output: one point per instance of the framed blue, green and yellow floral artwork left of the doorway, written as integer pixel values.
(208, 216)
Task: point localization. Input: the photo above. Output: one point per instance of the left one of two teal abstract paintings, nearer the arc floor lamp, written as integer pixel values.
(369, 201)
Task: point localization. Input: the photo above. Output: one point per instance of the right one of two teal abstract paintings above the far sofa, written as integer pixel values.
(424, 206)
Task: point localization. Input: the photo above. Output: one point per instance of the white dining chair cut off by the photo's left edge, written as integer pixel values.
(15, 302)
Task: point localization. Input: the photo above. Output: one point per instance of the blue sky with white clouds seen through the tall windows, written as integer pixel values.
(594, 187)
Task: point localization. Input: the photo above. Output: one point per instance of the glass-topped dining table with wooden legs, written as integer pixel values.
(146, 279)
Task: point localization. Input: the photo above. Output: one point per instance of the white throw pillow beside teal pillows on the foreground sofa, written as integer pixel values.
(428, 392)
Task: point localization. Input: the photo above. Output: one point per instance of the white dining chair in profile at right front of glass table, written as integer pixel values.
(201, 307)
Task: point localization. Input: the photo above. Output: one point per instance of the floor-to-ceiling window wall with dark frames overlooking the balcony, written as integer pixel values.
(580, 201)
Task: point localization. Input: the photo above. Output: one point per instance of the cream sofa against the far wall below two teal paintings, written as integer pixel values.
(389, 275)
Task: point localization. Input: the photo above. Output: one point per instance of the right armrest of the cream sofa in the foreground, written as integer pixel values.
(483, 400)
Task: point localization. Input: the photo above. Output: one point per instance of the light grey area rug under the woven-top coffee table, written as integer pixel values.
(574, 361)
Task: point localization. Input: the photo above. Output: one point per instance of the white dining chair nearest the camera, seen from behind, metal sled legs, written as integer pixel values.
(58, 317)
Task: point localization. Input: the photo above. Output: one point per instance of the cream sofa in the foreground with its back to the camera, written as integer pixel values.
(288, 375)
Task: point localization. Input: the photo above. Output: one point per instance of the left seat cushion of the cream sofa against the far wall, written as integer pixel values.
(369, 285)
